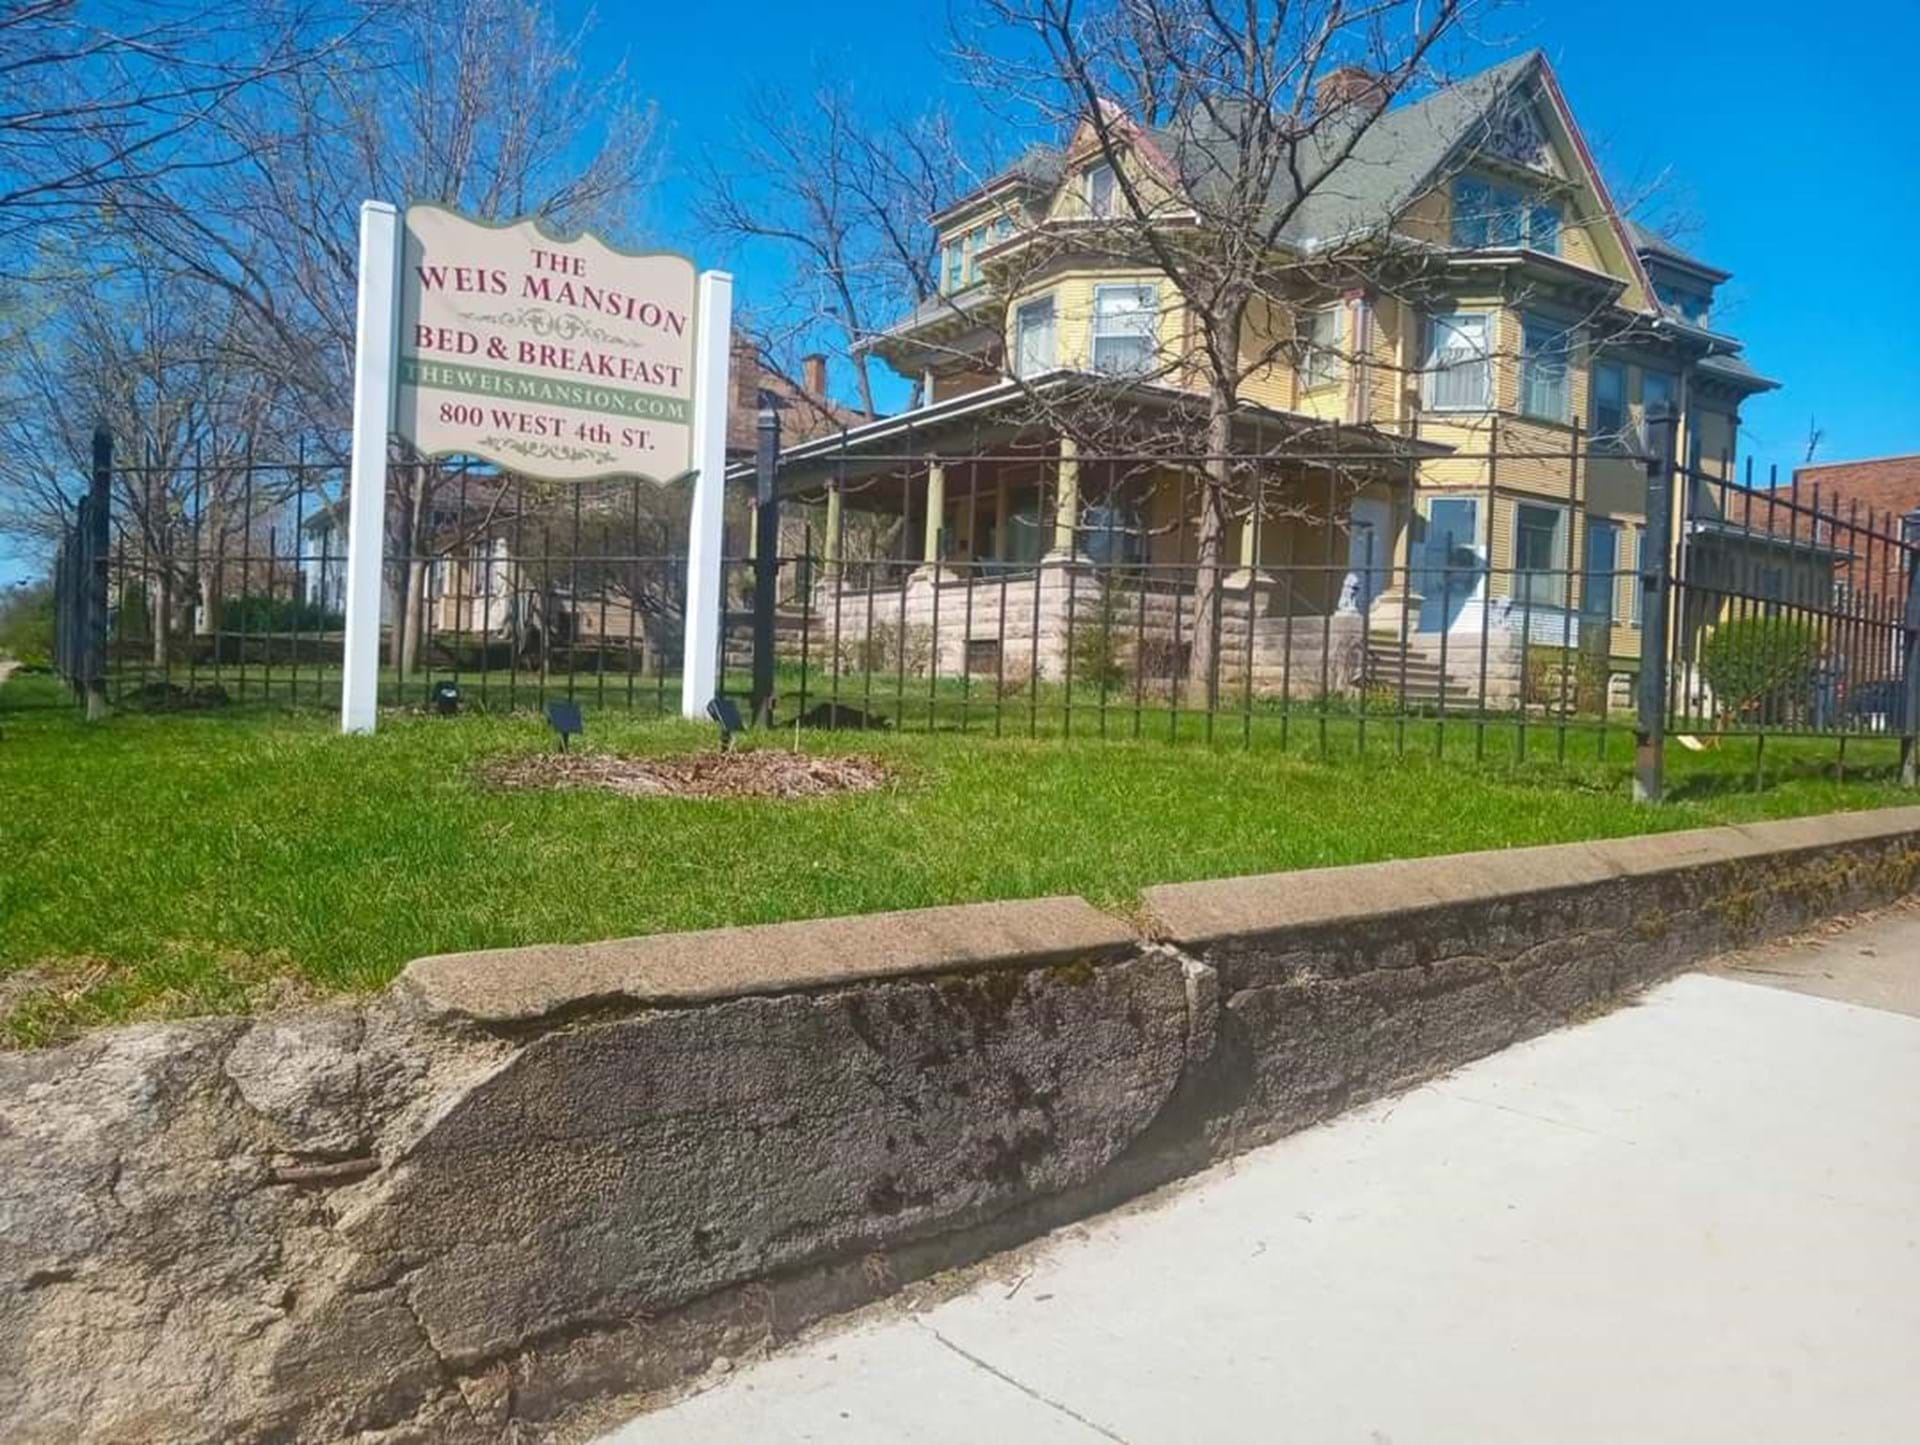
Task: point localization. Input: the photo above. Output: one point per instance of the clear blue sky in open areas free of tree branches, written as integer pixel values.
(1781, 137)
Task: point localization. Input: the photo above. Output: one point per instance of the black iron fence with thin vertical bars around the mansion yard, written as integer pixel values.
(1516, 602)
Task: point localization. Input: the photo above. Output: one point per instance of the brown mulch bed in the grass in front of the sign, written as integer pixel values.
(754, 774)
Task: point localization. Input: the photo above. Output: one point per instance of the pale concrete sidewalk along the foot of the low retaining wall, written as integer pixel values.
(1696, 1220)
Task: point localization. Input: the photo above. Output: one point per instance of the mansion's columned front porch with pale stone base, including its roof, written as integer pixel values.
(988, 540)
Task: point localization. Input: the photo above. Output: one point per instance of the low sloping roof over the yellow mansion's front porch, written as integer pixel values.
(1015, 410)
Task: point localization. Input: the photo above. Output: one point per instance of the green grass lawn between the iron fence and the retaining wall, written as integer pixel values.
(162, 865)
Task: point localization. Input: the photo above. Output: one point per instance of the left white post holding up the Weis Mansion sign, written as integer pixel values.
(377, 323)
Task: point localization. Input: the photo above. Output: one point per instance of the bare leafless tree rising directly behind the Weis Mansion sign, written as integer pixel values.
(481, 105)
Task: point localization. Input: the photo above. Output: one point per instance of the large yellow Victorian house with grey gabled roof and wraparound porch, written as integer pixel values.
(1443, 396)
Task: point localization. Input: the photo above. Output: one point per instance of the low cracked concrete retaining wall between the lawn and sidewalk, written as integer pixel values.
(527, 1181)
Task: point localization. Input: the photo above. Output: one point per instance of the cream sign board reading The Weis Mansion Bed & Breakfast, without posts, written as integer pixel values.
(556, 360)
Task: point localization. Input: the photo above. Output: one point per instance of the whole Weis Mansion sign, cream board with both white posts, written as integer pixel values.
(560, 360)
